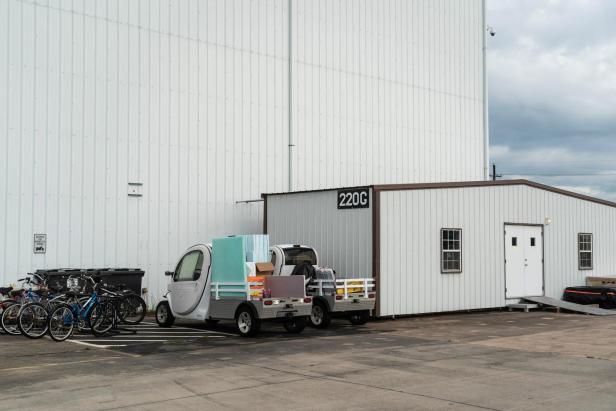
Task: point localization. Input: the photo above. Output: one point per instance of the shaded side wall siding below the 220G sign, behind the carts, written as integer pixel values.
(343, 238)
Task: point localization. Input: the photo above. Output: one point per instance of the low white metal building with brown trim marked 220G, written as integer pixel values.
(452, 246)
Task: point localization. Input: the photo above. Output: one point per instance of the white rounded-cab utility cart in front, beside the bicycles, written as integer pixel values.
(192, 296)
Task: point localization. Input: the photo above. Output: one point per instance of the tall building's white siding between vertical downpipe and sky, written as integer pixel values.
(387, 92)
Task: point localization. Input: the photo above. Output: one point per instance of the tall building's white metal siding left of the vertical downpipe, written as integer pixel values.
(186, 97)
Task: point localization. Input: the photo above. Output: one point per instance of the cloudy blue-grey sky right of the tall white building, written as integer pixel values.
(552, 74)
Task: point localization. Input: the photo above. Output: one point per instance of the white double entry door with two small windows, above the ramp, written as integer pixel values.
(523, 261)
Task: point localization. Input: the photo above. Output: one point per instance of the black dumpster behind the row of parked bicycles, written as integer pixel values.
(128, 278)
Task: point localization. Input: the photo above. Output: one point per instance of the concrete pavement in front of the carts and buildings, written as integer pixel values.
(494, 360)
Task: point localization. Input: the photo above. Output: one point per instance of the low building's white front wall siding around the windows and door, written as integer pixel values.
(410, 277)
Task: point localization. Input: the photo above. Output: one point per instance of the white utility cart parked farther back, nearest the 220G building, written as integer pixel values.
(353, 298)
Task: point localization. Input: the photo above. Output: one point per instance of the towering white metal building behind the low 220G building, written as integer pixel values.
(131, 129)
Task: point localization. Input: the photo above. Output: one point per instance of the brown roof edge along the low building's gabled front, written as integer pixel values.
(466, 184)
